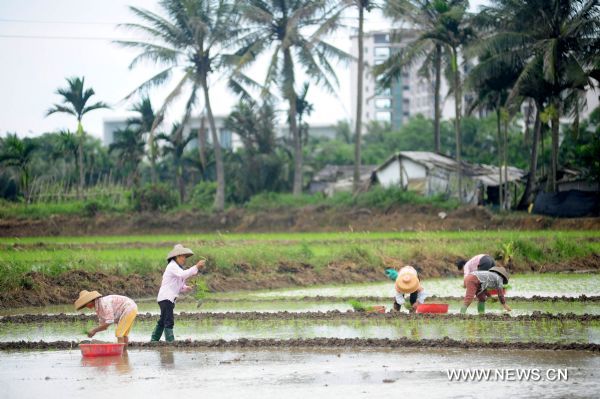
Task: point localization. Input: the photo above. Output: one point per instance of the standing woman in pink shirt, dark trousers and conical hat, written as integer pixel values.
(172, 285)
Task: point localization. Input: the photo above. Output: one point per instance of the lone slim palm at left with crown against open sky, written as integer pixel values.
(74, 103)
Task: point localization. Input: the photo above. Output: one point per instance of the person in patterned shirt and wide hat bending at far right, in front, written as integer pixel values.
(477, 284)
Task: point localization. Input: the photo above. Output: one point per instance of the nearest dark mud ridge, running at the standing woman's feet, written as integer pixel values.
(309, 343)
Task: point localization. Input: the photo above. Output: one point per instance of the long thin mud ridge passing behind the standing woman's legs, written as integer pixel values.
(333, 315)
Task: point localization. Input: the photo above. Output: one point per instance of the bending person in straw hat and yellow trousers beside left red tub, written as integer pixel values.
(111, 309)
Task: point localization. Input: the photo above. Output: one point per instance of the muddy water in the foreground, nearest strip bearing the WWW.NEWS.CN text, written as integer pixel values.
(292, 374)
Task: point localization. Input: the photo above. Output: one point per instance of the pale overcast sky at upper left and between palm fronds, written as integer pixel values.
(44, 41)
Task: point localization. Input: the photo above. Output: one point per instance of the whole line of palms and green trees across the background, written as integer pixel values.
(542, 53)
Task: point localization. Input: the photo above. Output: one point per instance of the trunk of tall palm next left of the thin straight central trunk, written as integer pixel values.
(290, 93)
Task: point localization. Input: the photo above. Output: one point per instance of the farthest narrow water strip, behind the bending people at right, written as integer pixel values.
(525, 285)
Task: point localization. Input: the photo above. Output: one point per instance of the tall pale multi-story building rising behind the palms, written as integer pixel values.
(409, 95)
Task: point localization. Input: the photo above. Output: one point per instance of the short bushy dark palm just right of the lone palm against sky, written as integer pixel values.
(129, 146)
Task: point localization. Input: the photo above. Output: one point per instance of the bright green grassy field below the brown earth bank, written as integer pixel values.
(145, 254)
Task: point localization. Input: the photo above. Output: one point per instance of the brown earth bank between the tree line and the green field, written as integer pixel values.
(308, 219)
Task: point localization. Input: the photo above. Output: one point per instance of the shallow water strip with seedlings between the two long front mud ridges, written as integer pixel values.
(471, 329)
